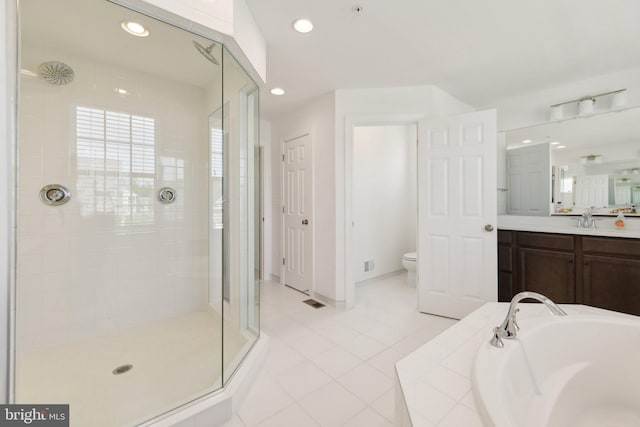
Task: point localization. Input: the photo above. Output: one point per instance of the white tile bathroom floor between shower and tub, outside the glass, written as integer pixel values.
(335, 367)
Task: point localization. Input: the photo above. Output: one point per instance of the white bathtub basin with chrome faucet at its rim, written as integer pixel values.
(579, 371)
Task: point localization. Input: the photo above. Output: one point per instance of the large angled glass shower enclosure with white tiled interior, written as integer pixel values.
(136, 285)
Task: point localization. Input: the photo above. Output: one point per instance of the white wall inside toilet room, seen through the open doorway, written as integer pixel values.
(384, 197)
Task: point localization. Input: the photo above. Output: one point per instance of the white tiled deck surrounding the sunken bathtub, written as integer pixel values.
(433, 384)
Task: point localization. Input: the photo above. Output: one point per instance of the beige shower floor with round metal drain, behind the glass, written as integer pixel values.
(174, 360)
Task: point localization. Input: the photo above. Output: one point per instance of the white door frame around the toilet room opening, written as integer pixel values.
(350, 123)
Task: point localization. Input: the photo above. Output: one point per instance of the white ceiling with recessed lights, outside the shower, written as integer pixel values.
(480, 51)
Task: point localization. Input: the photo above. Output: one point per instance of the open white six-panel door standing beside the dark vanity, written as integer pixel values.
(457, 203)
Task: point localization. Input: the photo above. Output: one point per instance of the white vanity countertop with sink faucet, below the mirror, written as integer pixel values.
(567, 225)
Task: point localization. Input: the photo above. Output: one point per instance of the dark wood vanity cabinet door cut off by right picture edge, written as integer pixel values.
(612, 283)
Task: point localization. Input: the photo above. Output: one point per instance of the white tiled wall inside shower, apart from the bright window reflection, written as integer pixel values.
(82, 272)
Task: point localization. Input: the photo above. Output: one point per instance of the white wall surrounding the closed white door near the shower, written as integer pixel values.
(317, 118)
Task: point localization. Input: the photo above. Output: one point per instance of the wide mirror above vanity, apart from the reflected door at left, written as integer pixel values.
(595, 161)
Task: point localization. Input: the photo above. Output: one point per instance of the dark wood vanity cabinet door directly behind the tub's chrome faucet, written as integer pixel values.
(551, 273)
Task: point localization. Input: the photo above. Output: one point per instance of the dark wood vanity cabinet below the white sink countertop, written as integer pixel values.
(599, 271)
